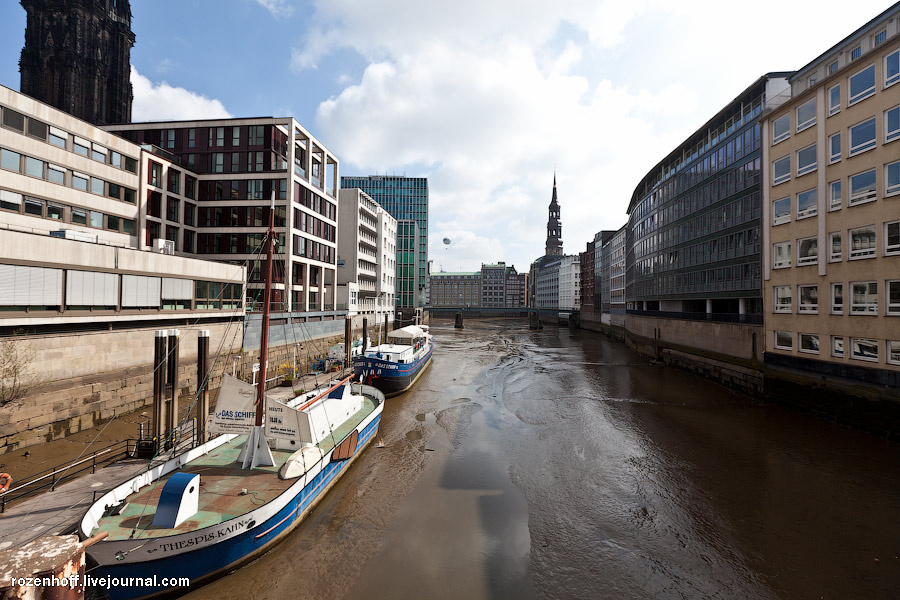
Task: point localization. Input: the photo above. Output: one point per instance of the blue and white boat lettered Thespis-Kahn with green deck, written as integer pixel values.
(201, 515)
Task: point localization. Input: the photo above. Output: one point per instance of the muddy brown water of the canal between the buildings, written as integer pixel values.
(557, 464)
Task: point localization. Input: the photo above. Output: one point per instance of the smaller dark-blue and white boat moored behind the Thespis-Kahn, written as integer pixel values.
(395, 366)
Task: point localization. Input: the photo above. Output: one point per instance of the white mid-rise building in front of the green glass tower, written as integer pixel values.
(367, 253)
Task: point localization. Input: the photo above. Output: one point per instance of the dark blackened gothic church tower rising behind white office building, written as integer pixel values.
(77, 57)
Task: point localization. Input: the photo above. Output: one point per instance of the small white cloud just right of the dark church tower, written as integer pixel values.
(162, 102)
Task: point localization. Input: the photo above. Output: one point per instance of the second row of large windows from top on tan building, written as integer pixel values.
(862, 137)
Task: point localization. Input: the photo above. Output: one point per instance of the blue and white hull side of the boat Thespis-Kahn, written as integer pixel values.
(204, 557)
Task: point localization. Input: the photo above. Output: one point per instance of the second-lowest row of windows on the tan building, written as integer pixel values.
(863, 298)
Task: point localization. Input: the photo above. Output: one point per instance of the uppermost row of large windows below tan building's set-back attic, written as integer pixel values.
(860, 86)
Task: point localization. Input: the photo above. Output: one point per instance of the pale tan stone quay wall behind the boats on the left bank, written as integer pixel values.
(84, 379)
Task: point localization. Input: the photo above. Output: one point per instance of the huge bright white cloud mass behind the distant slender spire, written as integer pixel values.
(484, 100)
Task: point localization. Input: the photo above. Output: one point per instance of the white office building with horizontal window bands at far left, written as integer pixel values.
(72, 212)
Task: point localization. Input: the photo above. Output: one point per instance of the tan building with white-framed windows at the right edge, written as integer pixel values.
(831, 210)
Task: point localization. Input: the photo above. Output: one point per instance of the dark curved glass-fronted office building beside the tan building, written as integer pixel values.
(693, 235)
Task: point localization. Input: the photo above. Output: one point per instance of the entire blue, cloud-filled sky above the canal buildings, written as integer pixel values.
(486, 98)
